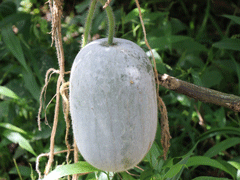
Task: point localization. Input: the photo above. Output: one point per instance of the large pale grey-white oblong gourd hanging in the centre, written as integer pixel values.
(113, 104)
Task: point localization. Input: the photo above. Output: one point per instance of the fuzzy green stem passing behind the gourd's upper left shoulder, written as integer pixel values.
(88, 22)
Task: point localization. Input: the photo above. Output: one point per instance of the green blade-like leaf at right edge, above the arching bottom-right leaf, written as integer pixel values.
(222, 146)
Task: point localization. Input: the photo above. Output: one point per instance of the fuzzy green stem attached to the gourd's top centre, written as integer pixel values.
(111, 22)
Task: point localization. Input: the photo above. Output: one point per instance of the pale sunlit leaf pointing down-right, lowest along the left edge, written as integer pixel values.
(18, 138)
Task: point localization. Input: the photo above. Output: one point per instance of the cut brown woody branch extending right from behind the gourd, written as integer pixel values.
(200, 93)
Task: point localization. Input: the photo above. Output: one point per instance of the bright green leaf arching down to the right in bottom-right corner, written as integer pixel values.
(206, 161)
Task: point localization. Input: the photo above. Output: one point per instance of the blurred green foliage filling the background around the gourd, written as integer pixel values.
(196, 41)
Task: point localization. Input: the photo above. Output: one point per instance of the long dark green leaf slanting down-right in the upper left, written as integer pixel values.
(13, 44)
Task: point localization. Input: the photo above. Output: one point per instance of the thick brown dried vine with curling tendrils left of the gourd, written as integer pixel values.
(56, 12)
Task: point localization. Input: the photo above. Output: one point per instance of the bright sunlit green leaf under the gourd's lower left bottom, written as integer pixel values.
(64, 170)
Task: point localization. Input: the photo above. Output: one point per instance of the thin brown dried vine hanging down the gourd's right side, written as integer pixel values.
(165, 134)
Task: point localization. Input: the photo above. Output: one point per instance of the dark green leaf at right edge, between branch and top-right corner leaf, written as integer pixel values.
(230, 44)
